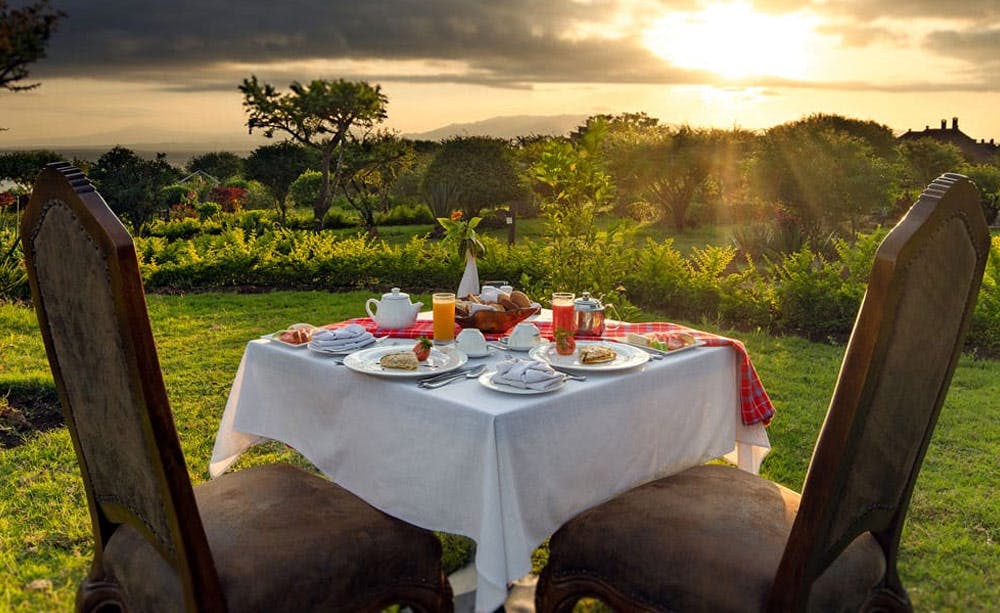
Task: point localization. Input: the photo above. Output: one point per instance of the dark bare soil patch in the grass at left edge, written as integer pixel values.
(27, 409)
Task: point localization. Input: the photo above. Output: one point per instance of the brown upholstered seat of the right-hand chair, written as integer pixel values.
(707, 539)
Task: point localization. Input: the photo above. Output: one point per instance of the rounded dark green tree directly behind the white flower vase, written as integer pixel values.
(476, 171)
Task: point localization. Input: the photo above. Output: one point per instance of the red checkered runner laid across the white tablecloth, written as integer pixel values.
(755, 405)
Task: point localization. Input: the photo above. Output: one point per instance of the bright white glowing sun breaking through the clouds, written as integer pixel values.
(734, 41)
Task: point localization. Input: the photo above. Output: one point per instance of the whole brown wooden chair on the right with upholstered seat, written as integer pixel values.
(714, 538)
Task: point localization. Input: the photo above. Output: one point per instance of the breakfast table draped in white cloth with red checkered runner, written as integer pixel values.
(504, 469)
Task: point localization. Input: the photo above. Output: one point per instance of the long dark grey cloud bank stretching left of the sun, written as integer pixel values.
(503, 43)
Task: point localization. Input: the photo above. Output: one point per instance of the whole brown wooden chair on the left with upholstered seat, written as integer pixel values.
(270, 538)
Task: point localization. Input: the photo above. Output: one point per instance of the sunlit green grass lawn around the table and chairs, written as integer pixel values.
(950, 557)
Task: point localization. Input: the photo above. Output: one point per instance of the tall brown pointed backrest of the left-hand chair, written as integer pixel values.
(91, 309)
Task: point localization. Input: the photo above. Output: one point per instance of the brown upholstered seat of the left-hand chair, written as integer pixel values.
(284, 540)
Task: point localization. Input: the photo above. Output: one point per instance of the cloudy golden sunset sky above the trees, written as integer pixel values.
(154, 70)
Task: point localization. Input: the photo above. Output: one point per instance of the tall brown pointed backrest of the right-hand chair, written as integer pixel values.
(899, 361)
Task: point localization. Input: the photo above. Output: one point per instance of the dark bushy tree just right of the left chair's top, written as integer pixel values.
(131, 184)
